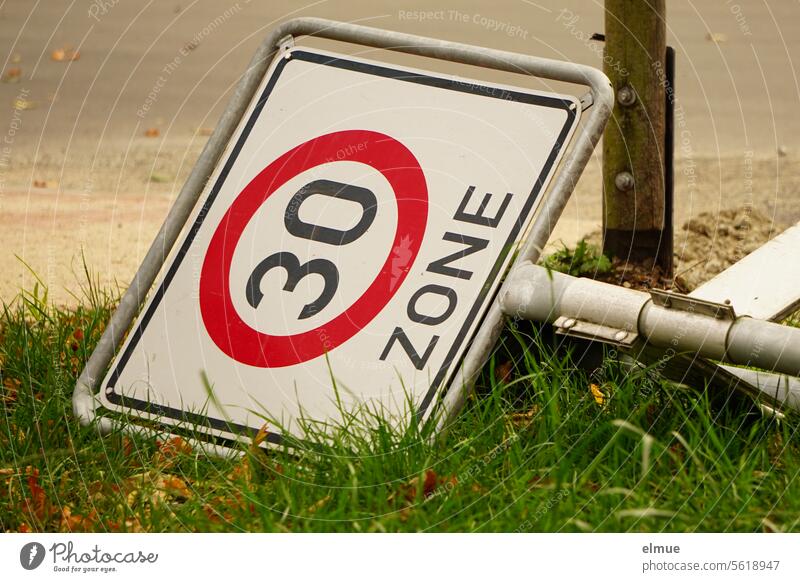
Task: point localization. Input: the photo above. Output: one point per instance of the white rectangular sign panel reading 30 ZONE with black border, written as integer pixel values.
(355, 232)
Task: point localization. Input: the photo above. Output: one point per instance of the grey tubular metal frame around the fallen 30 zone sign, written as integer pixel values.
(600, 98)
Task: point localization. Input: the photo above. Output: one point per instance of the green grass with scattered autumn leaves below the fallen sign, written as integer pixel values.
(534, 450)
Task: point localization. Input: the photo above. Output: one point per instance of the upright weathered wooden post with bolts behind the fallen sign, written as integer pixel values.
(633, 143)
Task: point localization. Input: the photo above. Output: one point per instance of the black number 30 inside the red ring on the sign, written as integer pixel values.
(301, 229)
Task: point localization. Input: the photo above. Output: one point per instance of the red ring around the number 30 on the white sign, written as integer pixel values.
(252, 347)
